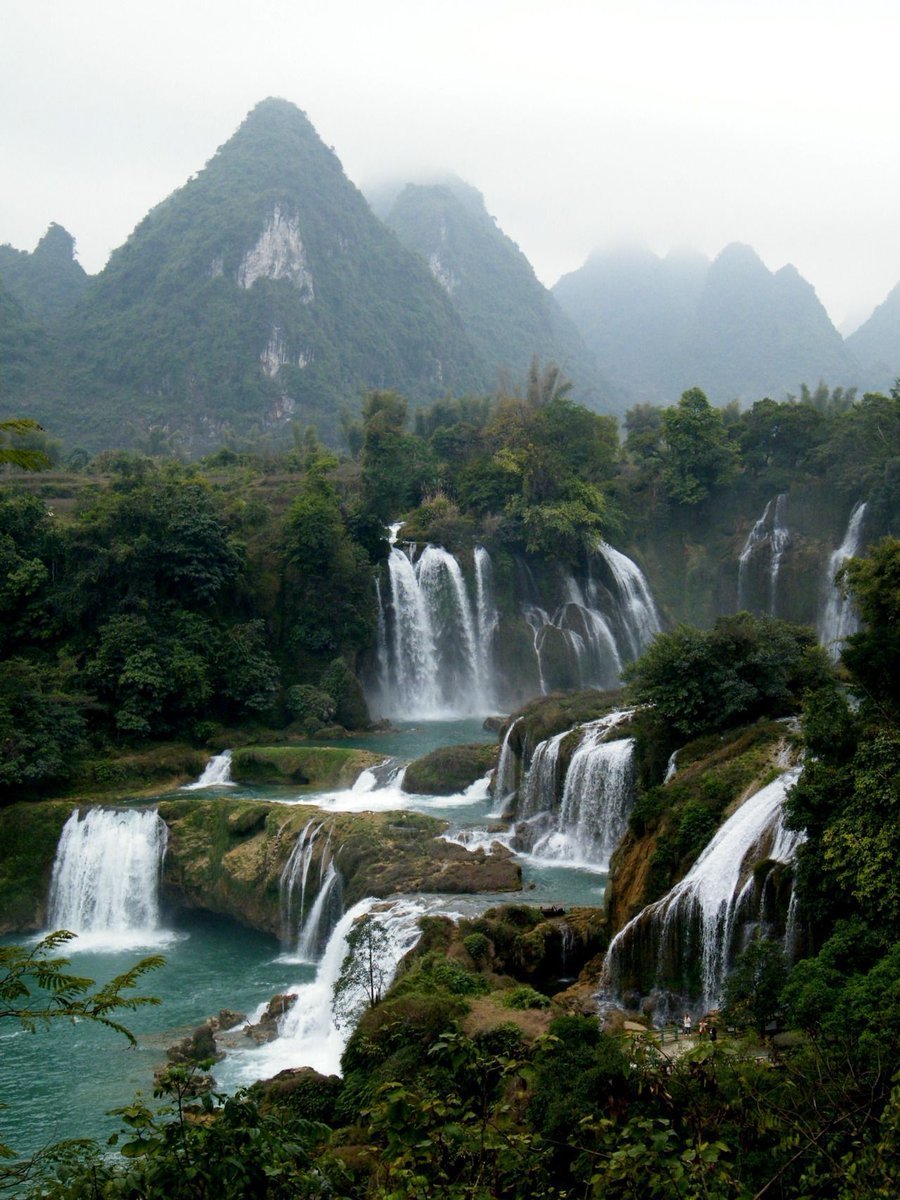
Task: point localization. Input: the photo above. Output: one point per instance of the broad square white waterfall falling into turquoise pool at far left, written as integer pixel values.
(106, 878)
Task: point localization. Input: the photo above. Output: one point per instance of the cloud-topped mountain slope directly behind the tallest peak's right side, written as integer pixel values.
(506, 310)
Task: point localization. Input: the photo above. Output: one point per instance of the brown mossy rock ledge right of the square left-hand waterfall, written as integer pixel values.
(227, 856)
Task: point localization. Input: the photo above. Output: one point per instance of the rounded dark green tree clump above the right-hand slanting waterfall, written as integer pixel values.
(743, 668)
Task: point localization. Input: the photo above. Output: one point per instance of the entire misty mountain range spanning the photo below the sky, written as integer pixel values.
(266, 293)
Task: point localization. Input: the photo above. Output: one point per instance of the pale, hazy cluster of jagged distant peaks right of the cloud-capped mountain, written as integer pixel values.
(731, 327)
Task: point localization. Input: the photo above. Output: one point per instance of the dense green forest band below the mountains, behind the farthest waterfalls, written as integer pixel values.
(161, 601)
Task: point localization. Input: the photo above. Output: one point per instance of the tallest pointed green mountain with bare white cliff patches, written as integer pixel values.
(261, 292)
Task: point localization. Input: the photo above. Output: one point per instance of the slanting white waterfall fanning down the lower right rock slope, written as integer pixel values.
(698, 923)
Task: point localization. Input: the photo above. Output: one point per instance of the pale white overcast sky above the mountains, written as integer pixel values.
(673, 123)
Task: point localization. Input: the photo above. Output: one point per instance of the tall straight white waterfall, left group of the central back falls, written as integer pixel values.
(435, 649)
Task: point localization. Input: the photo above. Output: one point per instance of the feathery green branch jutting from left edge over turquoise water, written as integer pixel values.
(37, 986)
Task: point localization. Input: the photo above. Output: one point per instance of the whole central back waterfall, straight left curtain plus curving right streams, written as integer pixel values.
(436, 634)
